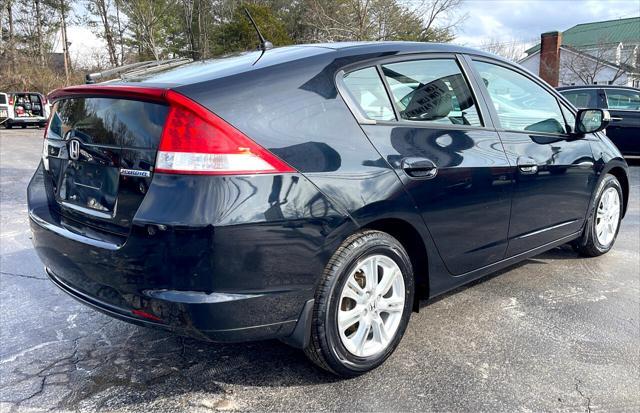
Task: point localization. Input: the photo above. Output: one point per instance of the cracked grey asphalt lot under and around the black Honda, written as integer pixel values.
(557, 332)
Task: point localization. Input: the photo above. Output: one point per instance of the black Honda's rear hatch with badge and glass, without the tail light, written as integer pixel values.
(99, 154)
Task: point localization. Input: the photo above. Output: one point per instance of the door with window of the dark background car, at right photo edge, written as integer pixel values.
(624, 129)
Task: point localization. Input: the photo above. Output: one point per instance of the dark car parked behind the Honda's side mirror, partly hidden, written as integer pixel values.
(624, 105)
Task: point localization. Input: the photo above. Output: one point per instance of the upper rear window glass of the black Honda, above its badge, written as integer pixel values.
(107, 121)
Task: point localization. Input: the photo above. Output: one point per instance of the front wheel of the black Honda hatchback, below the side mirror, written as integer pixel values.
(603, 224)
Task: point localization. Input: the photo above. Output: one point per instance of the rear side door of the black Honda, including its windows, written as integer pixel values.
(421, 115)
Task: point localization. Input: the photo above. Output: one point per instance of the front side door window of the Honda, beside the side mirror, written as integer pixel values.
(521, 103)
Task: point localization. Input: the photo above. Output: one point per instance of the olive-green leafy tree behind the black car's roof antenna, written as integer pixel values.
(239, 35)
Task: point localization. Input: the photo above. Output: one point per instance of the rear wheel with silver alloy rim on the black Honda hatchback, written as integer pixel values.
(362, 305)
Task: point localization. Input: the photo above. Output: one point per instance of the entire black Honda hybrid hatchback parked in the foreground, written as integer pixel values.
(314, 193)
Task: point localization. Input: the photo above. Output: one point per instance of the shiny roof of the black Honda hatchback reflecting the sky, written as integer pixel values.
(201, 71)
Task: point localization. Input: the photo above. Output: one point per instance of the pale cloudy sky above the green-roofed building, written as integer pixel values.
(509, 20)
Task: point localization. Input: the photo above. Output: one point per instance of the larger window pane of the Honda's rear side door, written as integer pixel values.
(433, 91)
